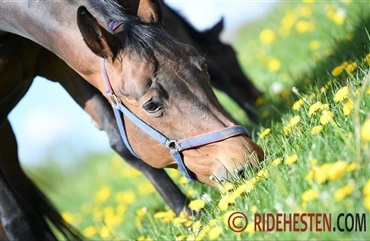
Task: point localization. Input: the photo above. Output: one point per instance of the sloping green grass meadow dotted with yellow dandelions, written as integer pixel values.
(312, 61)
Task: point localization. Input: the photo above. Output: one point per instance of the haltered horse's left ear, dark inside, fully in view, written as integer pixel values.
(99, 40)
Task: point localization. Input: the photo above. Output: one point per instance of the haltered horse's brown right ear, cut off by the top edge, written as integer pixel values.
(150, 11)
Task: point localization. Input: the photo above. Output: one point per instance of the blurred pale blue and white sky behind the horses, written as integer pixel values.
(48, 123)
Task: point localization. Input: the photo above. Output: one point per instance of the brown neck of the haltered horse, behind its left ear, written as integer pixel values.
(53, 25)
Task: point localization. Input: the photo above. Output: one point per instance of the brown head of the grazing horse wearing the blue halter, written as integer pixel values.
(166, 86)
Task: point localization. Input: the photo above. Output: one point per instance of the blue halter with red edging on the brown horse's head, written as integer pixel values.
(175, 146)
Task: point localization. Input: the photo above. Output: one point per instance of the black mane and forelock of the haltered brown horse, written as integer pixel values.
(141, 38)
